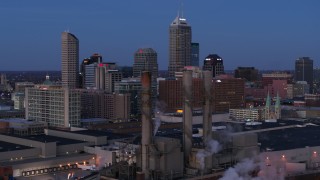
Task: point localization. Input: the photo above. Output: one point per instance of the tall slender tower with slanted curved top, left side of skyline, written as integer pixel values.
(70, 60)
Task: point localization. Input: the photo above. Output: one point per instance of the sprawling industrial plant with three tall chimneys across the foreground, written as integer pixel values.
(185, 152)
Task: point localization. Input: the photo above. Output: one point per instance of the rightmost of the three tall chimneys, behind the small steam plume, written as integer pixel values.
(207, 114)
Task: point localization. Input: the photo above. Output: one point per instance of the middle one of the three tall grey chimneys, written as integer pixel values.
(187, 114)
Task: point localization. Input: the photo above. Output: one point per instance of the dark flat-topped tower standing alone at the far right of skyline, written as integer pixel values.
(304, 71)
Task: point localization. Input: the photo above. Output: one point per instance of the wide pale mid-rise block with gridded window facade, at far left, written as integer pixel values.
(56, 105)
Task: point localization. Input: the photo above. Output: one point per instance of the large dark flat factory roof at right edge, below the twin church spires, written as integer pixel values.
(292, 138)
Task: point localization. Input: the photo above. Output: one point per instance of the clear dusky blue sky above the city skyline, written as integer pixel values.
(264, 34)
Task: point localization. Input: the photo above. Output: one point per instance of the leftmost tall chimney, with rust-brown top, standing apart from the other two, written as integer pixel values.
(146, 121)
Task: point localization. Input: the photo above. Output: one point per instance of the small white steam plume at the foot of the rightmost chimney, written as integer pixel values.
(211, 147)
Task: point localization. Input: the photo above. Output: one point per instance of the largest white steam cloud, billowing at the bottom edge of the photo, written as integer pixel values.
(252, 169)
